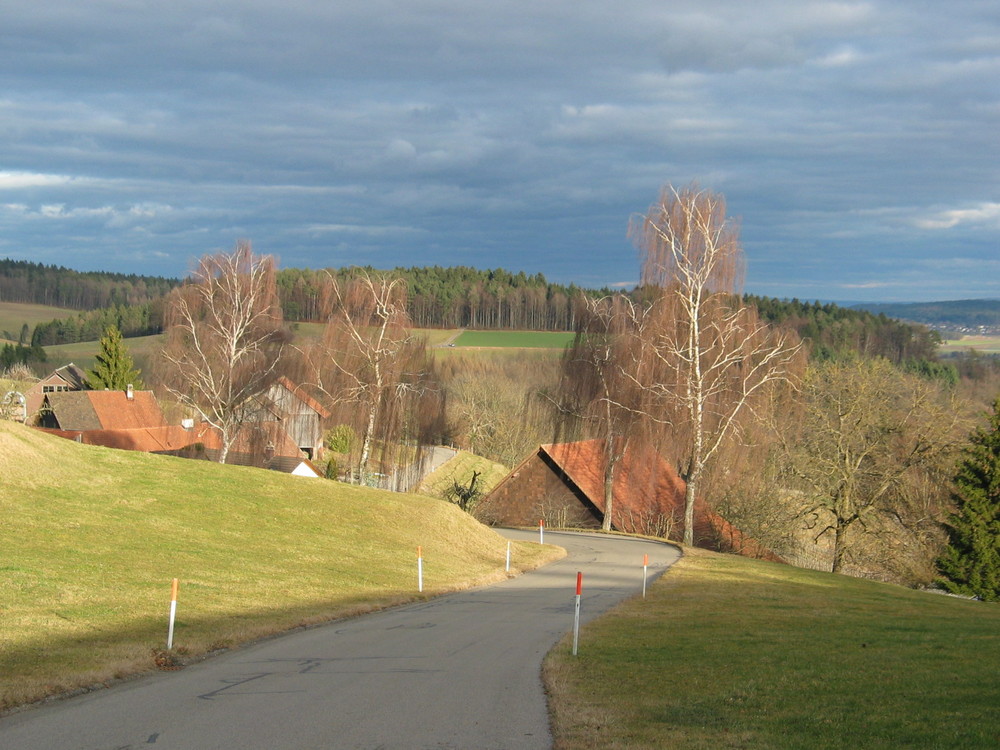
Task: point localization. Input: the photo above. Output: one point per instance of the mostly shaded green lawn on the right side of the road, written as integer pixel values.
(733, 653)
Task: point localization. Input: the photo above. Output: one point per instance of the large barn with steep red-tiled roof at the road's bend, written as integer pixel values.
(563, 484)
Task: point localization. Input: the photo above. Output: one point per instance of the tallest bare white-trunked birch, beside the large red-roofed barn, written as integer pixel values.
(708, 356)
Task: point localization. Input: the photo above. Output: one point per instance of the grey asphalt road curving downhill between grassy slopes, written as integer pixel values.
(459, 671)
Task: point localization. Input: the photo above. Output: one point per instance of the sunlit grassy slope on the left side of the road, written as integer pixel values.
(91, 538)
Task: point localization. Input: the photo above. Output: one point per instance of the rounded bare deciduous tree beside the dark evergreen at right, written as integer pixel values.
(870, 444)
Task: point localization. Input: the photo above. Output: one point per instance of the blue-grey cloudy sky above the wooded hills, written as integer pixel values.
(855, 142)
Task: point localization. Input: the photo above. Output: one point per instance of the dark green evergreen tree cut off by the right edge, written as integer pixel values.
(971, 562)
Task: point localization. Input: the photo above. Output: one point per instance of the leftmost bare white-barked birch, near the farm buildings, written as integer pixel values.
(224, 339)
